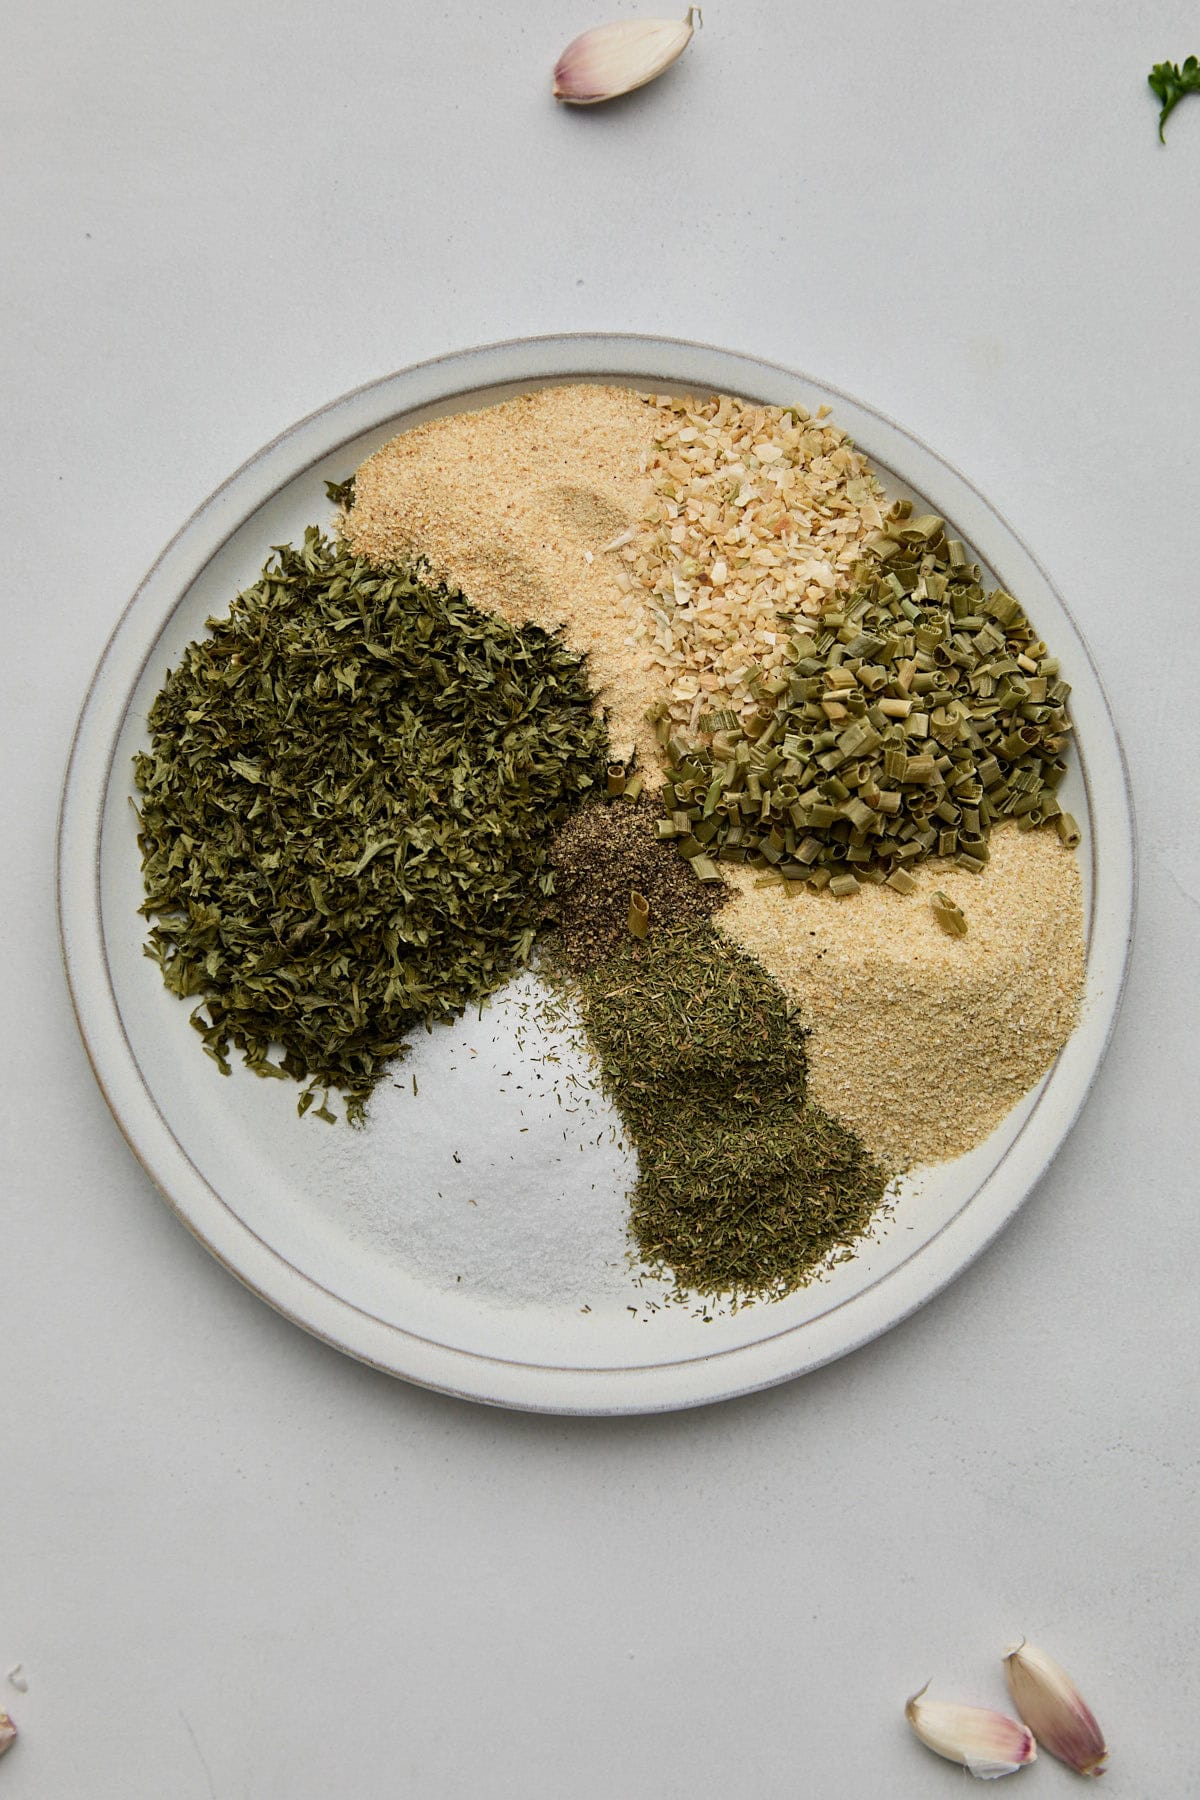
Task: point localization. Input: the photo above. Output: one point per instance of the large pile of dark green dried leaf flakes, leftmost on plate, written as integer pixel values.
(346, 813)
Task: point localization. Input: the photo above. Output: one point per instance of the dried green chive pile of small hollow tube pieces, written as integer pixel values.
(904, 726)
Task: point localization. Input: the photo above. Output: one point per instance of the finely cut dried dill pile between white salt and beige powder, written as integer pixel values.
(744, 1189)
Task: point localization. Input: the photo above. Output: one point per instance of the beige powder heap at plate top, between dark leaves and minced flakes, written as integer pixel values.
(515, 507)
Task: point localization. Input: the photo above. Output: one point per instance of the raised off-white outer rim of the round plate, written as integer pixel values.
(467, 1374)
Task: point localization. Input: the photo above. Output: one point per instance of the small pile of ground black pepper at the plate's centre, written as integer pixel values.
(605, 854)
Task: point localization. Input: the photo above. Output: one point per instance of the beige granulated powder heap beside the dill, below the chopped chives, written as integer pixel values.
(922, 1041)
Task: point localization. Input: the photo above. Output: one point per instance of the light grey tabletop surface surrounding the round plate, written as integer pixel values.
(237, 1565)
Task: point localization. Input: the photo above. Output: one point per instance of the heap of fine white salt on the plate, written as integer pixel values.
(505, 1176)
